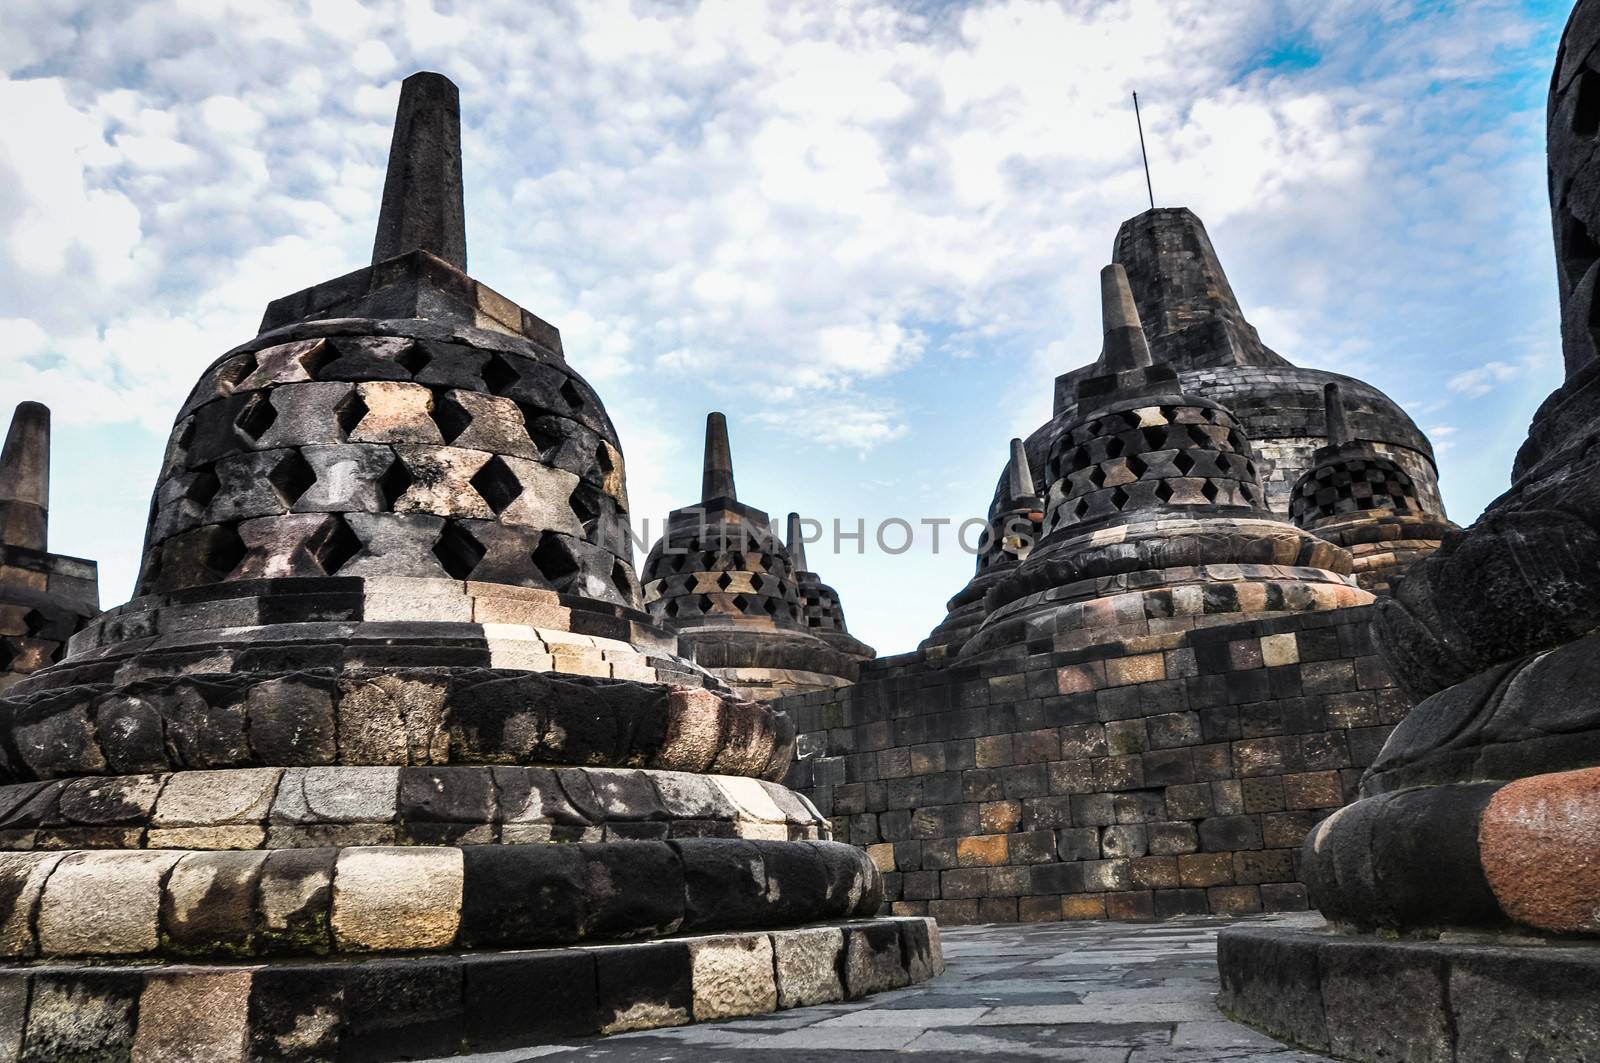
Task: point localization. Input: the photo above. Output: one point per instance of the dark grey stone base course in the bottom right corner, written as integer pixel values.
(1478, 1000)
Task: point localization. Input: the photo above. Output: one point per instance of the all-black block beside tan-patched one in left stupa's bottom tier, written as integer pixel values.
(514, 1001)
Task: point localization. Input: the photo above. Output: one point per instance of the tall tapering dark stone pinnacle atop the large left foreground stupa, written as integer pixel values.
(423, 199)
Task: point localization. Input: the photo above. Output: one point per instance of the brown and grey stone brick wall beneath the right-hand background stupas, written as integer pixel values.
(1156, 777)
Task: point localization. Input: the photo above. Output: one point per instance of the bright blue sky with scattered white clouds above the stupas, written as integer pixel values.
(868, 231)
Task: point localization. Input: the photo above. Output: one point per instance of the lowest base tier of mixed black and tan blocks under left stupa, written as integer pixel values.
(428, 1006)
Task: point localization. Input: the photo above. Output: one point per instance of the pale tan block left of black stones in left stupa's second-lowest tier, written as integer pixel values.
(393, 899)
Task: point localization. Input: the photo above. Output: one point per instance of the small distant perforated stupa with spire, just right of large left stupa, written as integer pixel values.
(738, 601)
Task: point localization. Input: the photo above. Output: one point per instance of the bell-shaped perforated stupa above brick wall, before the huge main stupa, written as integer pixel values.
(1154, 516)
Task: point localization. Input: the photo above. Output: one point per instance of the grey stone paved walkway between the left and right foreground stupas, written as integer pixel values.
(1071, 992)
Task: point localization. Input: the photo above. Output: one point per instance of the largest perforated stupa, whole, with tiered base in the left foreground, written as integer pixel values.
(386, 760)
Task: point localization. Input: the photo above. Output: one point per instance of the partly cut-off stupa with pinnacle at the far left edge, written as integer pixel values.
(44, 598)
